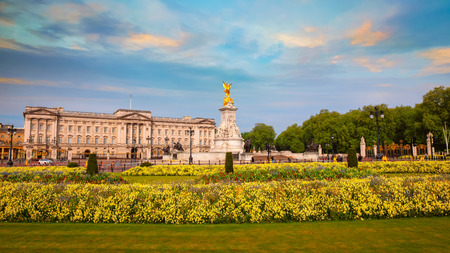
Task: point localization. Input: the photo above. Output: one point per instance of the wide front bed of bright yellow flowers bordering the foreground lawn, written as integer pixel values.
(276, 201)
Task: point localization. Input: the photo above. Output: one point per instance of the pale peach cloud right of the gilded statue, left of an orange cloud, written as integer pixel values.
(311, 37)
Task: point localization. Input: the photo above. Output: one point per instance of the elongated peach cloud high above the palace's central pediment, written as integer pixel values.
(140, 41)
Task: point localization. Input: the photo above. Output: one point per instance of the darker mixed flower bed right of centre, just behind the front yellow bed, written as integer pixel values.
(287, 173)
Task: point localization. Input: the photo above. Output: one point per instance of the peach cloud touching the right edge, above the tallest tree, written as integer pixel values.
(440, 61)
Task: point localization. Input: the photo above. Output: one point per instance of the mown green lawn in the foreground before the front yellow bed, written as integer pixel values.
(398, 235)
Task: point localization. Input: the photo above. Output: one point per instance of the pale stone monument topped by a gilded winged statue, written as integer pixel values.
(228, 137)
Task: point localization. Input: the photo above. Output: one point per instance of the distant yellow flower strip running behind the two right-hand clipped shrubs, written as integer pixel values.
(378, 167)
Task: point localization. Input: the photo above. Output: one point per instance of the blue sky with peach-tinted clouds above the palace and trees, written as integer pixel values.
(286, 60)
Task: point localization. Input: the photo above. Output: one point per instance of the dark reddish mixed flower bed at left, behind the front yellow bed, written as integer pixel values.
(61, 177)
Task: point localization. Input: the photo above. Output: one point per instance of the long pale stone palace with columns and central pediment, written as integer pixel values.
(56, 133)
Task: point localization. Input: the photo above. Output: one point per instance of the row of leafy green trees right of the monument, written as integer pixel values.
(399, 123)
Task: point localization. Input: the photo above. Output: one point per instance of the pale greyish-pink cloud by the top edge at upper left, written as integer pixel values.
(73, 13)
